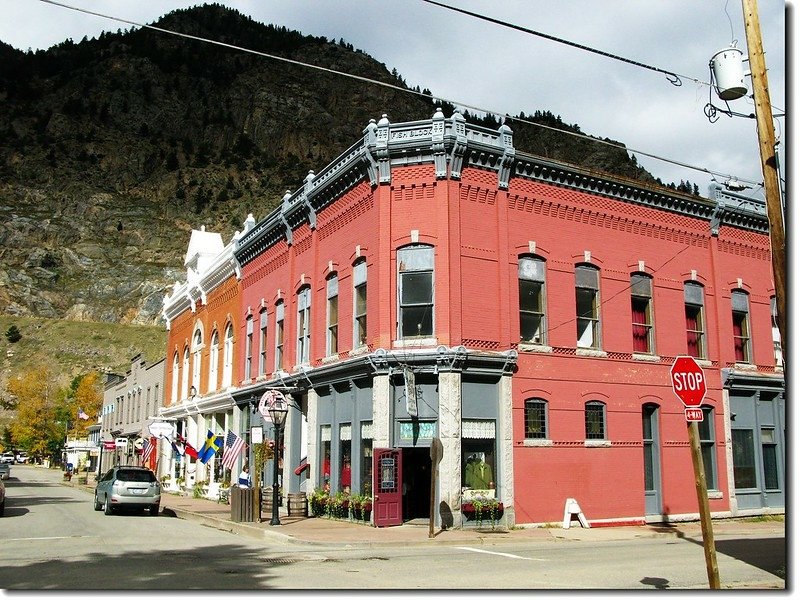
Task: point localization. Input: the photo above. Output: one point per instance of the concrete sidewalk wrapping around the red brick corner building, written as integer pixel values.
(320, 530)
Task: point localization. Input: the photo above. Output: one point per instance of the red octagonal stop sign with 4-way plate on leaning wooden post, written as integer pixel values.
(689, 385)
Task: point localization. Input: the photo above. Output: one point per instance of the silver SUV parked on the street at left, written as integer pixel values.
(130, 487)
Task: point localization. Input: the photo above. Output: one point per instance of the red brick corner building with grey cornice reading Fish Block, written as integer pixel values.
(435, 285)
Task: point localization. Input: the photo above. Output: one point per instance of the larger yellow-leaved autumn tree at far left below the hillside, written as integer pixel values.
(40, 422)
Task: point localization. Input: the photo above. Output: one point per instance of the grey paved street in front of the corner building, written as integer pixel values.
(52, 539)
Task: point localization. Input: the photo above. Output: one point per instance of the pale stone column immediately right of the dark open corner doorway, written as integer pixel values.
(450, 435)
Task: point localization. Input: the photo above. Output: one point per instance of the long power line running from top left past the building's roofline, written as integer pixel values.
(488, 111)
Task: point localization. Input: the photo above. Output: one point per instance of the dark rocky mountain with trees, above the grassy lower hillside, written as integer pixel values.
(112, 149)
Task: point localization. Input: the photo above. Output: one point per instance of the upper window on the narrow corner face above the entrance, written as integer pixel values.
(415, 282)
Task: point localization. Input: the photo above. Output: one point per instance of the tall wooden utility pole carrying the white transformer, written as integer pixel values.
(769, 162)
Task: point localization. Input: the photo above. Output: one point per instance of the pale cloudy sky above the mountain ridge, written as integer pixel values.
(474, 62)
